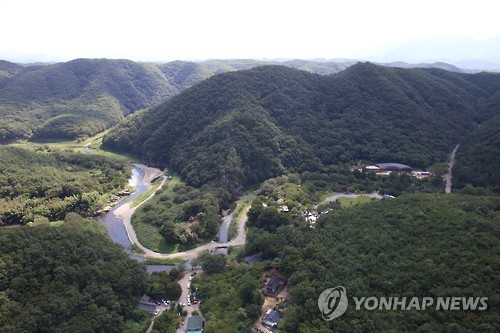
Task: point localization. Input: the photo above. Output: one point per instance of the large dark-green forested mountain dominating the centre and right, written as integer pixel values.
(242, 127)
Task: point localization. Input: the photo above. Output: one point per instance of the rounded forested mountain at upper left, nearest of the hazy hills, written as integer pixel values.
(77, 98)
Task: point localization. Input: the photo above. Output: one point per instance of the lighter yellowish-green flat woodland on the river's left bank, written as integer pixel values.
(37, 186)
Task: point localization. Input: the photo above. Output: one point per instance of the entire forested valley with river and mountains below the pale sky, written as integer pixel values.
(246, 171)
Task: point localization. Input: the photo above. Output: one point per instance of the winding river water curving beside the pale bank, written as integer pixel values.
(116, 228)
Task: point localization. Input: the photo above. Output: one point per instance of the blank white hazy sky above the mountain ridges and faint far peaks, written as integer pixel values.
(165, 30)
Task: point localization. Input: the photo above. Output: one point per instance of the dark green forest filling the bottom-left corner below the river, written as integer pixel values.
(66, 279)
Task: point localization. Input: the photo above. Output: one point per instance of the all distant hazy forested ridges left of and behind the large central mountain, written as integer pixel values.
(83, 97)
